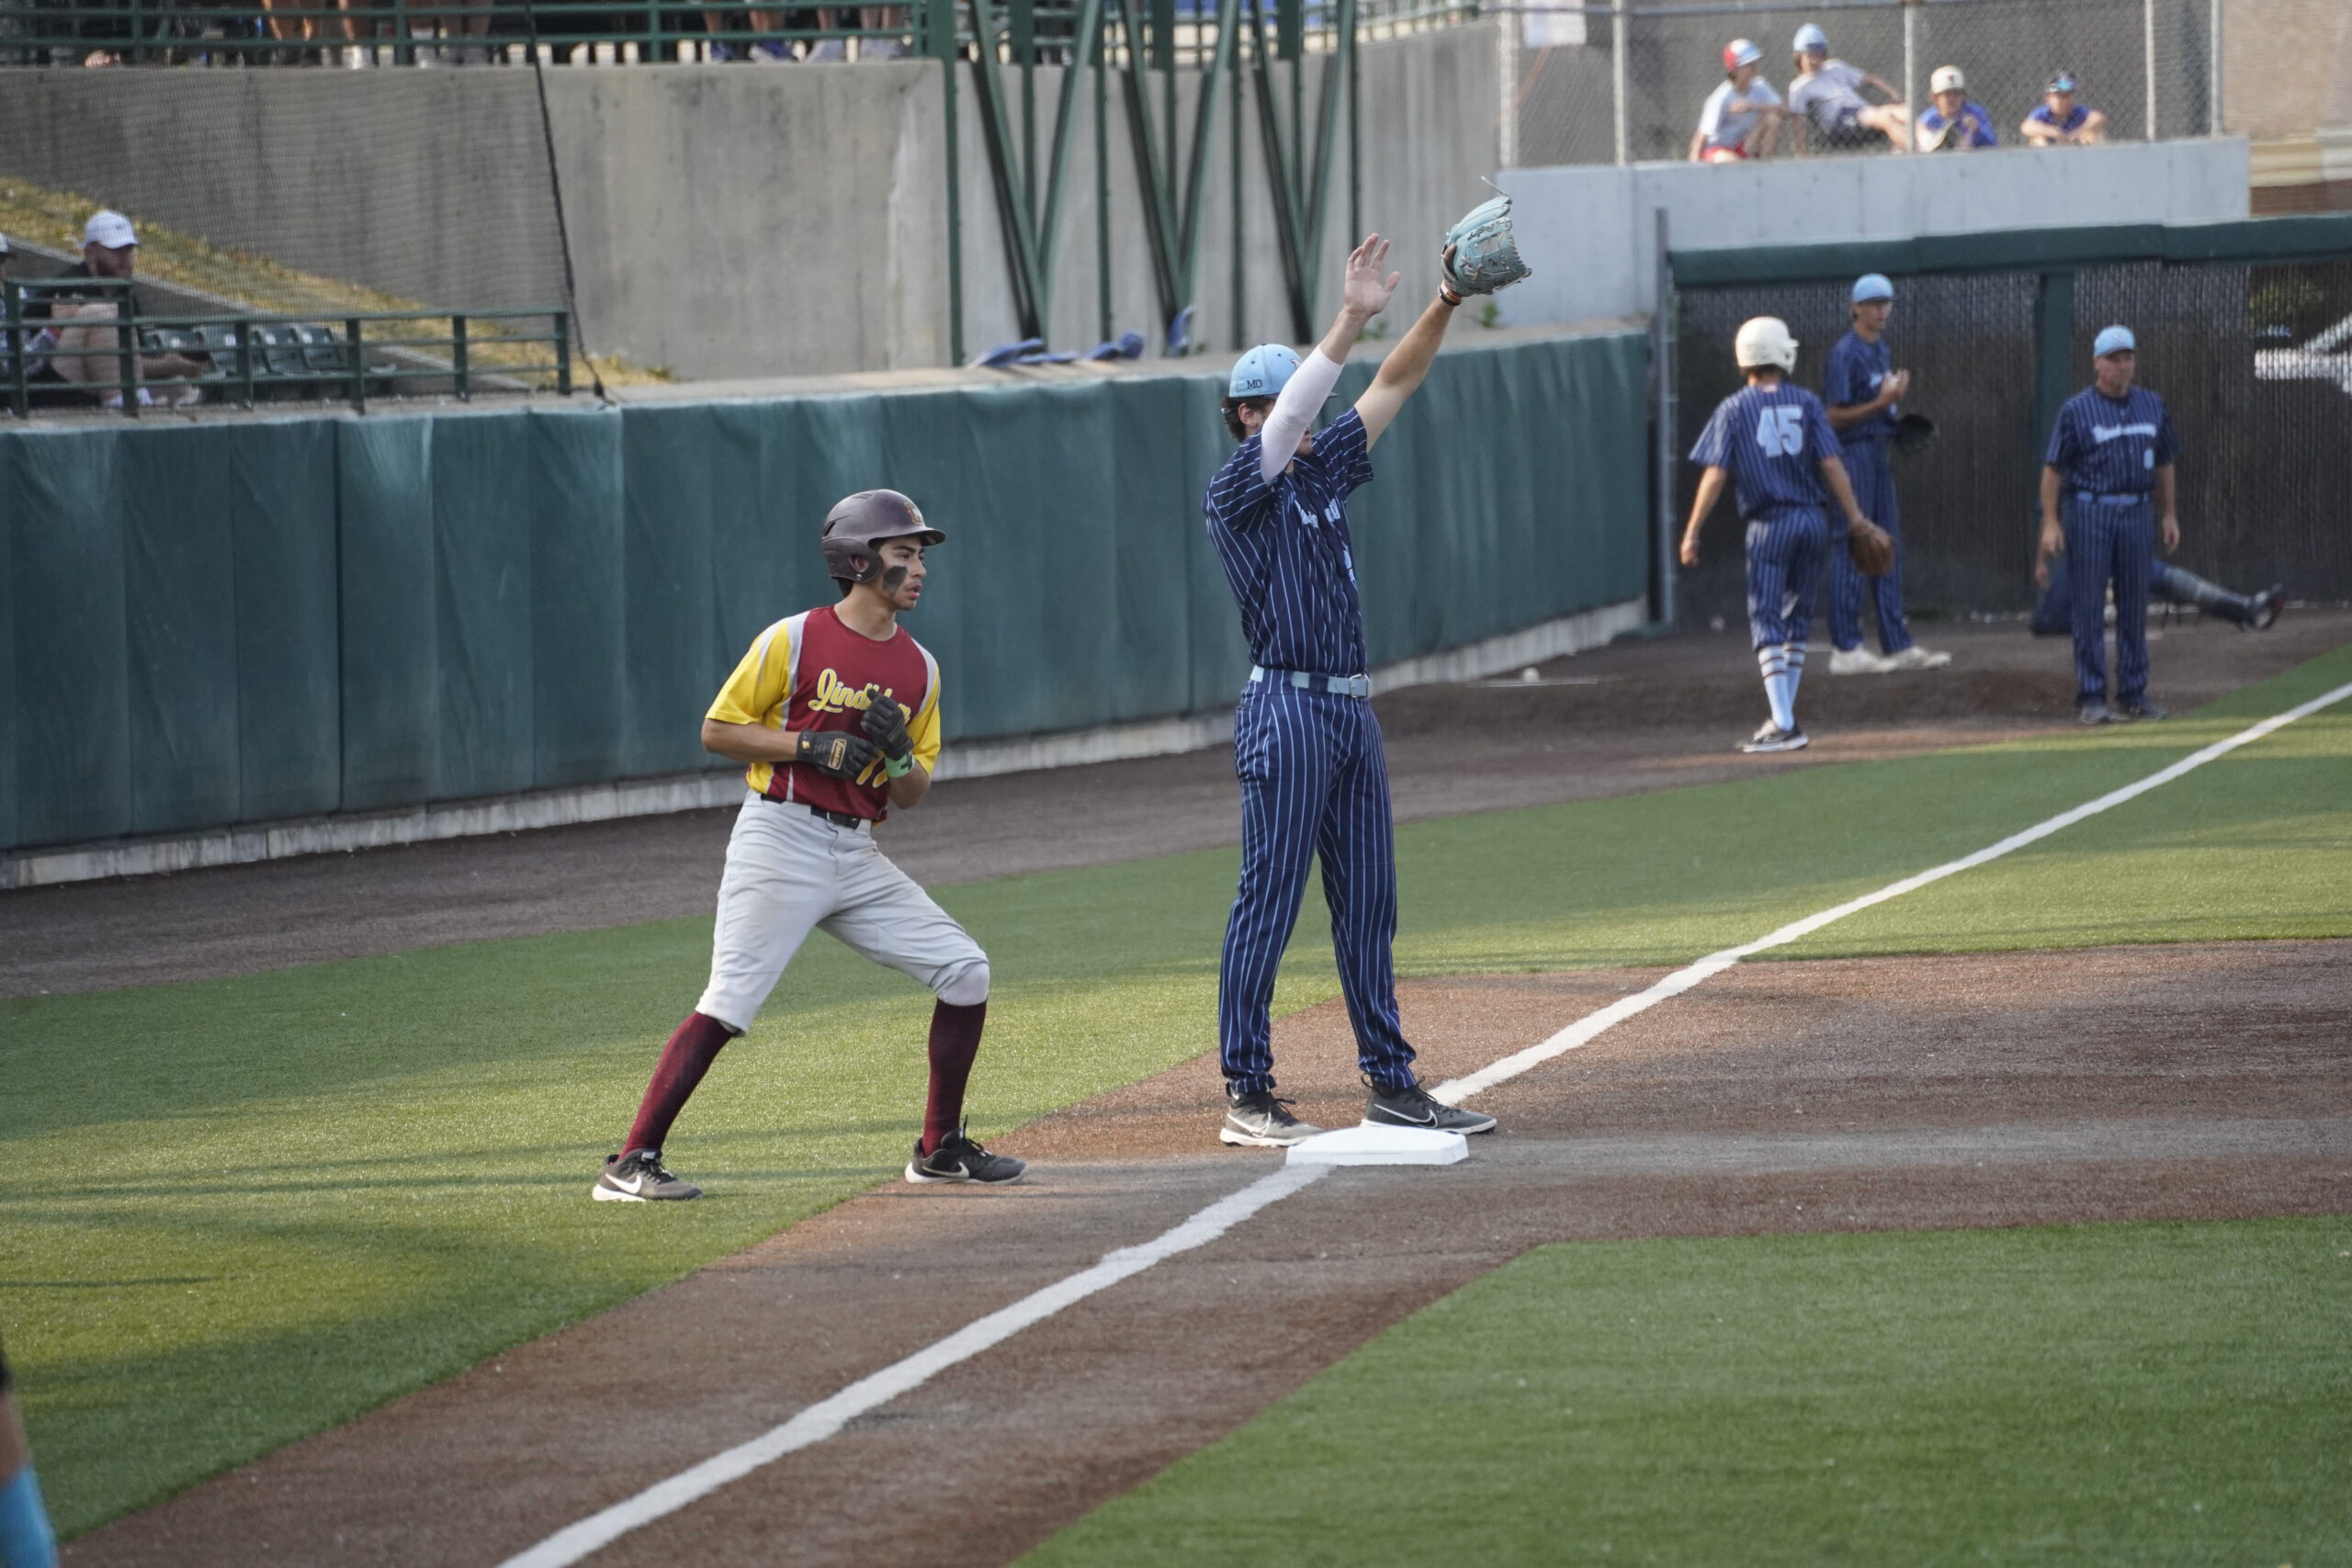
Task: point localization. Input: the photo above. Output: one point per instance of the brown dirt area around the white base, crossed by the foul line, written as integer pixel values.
(2005, 1090)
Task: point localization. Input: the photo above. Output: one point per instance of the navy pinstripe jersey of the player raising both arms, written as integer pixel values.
(1288, 554)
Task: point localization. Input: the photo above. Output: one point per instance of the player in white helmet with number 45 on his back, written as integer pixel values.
(1770, 441)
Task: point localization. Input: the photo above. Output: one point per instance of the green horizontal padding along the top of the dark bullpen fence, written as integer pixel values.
(2003, 250)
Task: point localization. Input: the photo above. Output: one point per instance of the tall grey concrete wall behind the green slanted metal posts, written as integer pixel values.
(726, 220)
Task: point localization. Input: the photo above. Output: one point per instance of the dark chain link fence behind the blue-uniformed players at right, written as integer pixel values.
(2250, 359)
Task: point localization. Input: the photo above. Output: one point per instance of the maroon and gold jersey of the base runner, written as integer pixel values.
(813, 674)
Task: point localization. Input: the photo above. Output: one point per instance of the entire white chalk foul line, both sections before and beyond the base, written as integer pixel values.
(829, 1416)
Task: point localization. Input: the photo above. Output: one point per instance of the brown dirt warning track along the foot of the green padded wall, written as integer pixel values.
(1638, 716)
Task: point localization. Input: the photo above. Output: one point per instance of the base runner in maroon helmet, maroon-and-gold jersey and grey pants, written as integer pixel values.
(836, 711)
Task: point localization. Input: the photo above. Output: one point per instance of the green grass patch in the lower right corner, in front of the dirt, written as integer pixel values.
(2076, 1395)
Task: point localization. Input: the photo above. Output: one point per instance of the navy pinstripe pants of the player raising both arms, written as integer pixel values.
(1314, 786)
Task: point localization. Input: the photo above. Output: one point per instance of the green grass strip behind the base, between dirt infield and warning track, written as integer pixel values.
(267, 1205)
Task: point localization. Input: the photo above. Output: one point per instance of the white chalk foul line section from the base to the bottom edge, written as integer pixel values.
(829, 1416)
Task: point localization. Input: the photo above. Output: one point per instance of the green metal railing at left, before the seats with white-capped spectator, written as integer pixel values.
(248, 359)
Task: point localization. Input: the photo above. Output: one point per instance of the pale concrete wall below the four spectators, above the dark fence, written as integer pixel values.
(1591, 232)
